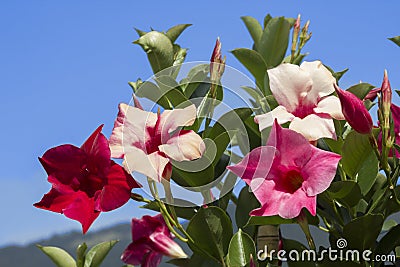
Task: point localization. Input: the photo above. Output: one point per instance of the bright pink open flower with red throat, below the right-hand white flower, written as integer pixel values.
(287, 174)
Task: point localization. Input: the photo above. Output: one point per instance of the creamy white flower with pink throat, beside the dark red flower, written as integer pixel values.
(148, 141)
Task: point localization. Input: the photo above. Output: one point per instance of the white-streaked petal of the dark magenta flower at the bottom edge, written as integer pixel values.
(166, 246)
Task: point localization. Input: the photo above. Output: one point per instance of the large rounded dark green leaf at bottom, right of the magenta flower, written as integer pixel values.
(212, 229)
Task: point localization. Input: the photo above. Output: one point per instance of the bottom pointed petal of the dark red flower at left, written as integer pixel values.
(82, 210)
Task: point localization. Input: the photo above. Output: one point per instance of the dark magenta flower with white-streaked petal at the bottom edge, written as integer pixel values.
(151, 239)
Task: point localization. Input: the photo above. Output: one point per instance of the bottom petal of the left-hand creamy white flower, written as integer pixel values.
(152, 165)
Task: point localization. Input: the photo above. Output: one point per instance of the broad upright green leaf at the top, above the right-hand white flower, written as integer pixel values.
(274, 41)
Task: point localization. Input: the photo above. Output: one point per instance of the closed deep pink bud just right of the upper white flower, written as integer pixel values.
(354, 111)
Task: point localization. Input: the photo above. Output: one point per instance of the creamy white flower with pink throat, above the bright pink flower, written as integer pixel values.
(303, 94)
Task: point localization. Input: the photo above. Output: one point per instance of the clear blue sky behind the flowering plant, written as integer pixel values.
(64, 67)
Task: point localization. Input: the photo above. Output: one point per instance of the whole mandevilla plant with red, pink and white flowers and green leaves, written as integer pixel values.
(307, 151)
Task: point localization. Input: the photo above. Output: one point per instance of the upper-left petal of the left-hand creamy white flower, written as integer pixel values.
(131, 129)
